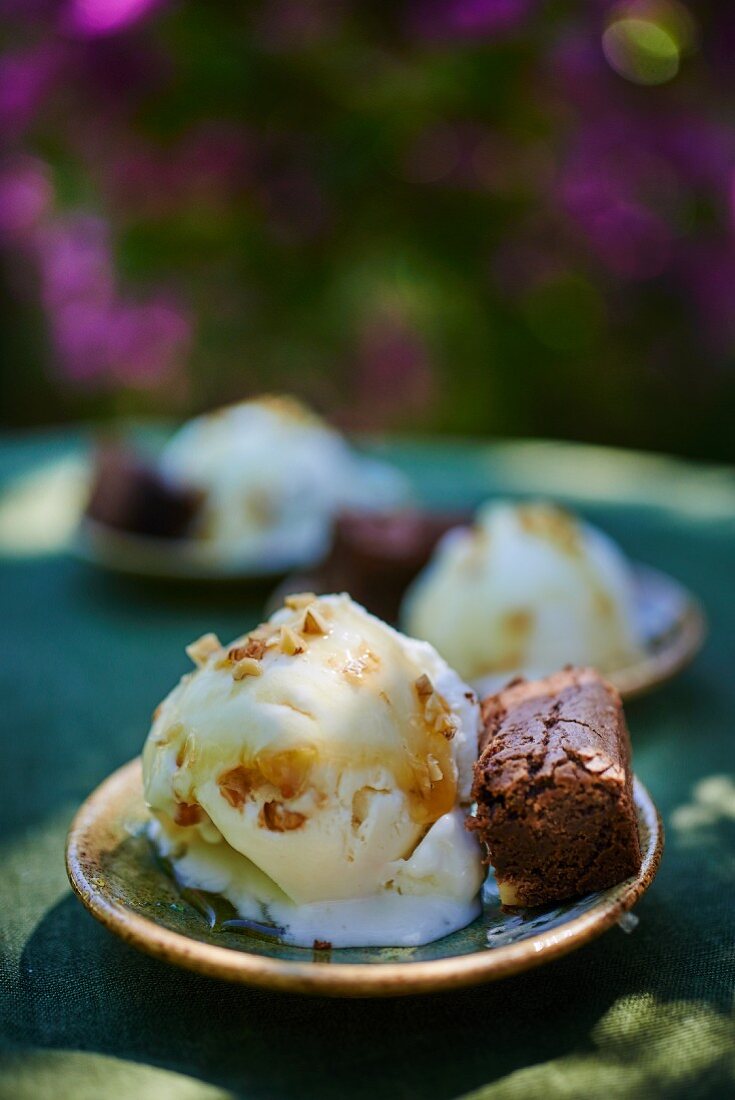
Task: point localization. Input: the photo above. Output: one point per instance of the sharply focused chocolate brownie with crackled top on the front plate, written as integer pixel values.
(554, 789)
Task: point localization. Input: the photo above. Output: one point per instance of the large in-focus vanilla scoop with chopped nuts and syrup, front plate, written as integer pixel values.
(313, 773)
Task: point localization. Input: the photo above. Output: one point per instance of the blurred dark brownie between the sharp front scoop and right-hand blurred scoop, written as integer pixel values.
(376, 556)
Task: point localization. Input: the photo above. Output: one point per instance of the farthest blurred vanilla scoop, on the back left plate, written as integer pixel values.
(273, 475)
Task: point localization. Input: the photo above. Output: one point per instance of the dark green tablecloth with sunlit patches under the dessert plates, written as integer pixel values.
(644, 1015)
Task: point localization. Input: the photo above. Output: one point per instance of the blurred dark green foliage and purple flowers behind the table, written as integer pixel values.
(496, 217)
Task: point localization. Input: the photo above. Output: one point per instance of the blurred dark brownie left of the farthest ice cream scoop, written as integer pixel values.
(130, 496)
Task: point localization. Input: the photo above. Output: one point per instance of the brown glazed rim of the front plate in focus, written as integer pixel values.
(348, 980)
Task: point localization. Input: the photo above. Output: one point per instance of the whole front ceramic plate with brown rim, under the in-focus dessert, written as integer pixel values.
(116, 874)
